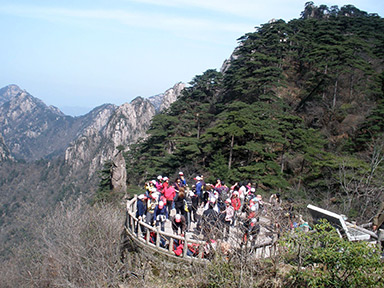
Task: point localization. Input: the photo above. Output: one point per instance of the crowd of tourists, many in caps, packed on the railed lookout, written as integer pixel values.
(222, 206)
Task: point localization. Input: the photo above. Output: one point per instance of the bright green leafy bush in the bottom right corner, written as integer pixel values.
(323, 259)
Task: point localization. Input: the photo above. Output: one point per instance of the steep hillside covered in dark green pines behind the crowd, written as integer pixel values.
(298, 109)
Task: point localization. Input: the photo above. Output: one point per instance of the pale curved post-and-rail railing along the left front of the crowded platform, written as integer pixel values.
(134, 226)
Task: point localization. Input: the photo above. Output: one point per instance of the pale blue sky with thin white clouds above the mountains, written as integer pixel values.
(86, 53)
